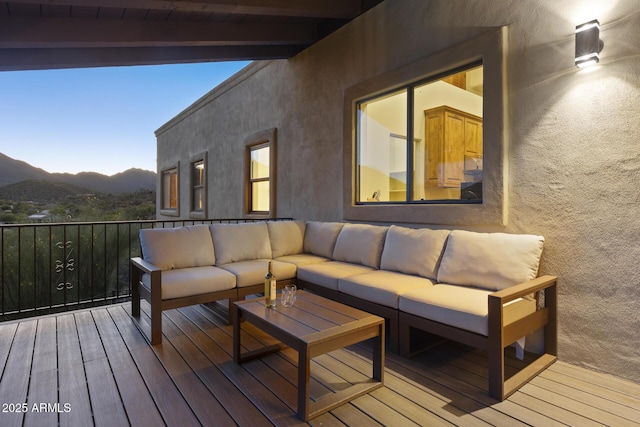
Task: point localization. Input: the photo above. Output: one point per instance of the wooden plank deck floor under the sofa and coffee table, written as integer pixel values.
(94, 367)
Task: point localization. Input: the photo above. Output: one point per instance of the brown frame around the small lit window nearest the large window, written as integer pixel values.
(256, 141)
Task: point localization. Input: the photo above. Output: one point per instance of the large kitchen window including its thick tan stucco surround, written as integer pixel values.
(425, 142)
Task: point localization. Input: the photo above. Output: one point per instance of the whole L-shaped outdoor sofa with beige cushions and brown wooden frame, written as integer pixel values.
(480, 289)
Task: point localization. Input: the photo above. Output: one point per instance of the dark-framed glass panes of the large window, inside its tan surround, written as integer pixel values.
(423, 143)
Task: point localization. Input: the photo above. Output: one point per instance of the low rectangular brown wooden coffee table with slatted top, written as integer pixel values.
(313, 326)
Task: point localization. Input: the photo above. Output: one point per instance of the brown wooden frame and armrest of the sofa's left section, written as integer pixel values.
(154, 296)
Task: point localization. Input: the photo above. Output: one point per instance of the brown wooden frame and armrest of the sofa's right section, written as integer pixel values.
(503, 330)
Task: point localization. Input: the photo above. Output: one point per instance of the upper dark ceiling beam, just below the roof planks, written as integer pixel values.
(71, 33)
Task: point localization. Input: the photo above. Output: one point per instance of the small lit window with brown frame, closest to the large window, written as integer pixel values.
(260, 175)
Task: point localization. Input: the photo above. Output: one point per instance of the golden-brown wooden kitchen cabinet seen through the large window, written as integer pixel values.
(450, 134)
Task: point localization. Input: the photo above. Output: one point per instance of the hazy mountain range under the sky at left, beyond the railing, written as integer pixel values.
(31, 183)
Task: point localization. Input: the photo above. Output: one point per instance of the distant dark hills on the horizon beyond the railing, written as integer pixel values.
(14, 171)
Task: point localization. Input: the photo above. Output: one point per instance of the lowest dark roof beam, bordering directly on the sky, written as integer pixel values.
(40, 59)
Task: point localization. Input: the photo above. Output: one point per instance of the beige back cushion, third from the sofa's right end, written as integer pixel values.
(360, 244)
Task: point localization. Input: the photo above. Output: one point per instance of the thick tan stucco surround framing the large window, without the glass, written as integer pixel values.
(487, 48)
